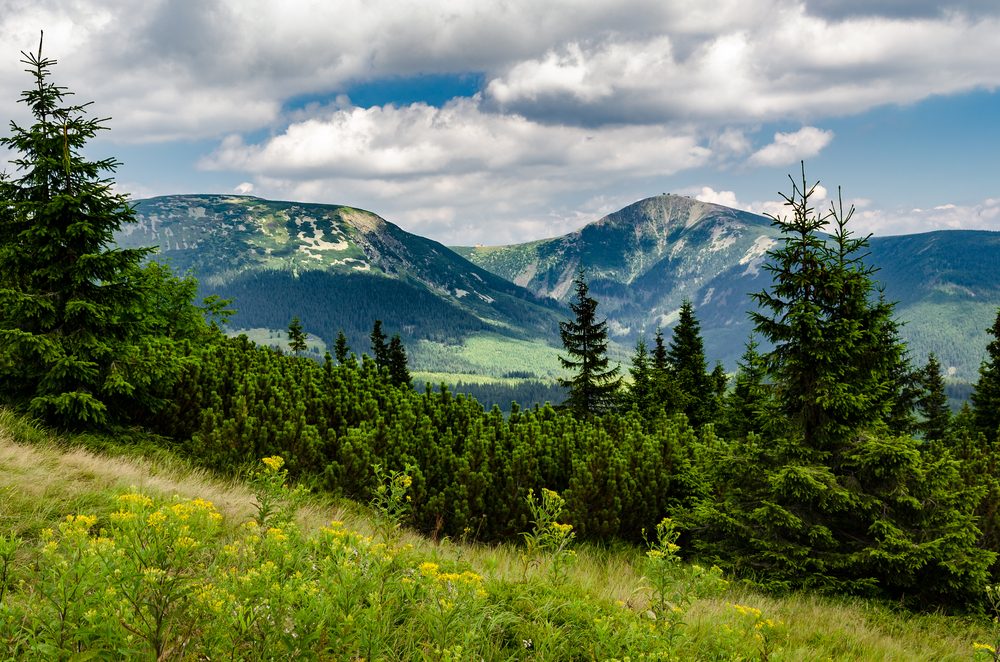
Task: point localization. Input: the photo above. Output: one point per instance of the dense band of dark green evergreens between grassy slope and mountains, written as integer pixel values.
(830, 462)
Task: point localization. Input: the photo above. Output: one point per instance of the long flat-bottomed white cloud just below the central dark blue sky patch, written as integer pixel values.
(420, 140)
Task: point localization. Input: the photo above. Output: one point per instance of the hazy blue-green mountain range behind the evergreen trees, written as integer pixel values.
(493, 310)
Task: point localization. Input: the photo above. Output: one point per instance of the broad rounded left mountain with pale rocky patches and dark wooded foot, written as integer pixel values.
(336, 267)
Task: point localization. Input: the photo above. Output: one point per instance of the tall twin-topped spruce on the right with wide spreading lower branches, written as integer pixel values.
(831, 497)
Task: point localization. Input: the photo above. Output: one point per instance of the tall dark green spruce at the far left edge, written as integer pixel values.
(73, 345)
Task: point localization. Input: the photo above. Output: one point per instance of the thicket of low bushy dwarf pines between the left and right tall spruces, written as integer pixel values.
(470, 468)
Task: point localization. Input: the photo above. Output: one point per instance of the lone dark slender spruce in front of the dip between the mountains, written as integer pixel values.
(594, 389)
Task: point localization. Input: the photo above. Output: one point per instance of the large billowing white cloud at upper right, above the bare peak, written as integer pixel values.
(768, 67)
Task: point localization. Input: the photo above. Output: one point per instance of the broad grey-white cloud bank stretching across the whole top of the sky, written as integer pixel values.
(180, 68)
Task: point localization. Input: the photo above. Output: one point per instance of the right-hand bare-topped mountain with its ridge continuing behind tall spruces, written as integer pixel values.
(645, 259)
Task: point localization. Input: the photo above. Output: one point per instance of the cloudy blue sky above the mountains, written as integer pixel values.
(498, 122)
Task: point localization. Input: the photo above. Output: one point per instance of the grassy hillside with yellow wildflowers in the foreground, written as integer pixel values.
(141, 556)
